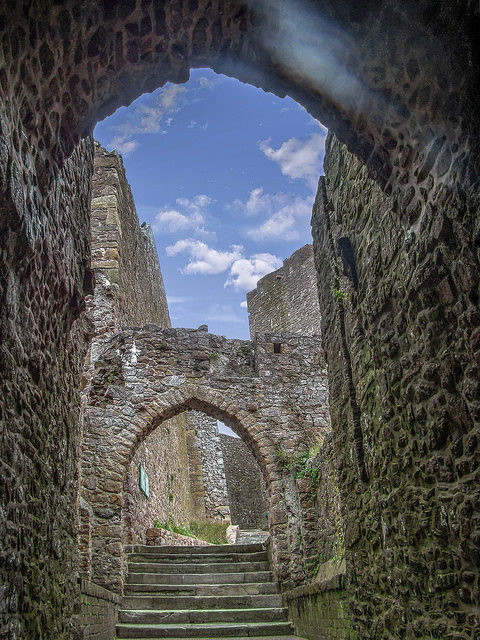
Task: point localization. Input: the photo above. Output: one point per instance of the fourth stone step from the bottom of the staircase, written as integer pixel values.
(175, 590)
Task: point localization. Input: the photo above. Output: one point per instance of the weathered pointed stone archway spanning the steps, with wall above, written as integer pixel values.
(149, 375)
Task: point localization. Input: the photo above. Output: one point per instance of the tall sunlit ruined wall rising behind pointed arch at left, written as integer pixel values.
(129, 289)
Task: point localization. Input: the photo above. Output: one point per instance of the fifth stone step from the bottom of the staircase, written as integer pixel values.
(201, 578)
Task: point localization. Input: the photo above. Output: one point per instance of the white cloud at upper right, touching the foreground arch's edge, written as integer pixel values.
(298, 159)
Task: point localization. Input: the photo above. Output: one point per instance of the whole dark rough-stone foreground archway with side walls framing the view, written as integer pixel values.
(398, 83)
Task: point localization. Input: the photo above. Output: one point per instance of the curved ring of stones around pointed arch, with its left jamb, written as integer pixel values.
(105, 495)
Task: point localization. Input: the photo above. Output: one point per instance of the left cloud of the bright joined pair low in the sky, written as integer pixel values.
(202, 258)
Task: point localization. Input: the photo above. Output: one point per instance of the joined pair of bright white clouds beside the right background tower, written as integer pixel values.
(243, 273)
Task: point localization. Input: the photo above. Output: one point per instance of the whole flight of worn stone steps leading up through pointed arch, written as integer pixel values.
(223, 591)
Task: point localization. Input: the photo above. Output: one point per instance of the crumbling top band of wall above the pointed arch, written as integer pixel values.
(195, 354)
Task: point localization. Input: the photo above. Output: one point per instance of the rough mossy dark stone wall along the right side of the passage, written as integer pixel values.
(403, 352)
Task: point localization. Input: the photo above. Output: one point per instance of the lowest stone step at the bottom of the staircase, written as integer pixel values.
(207, 630)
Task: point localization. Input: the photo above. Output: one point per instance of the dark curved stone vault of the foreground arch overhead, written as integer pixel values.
(350, 66)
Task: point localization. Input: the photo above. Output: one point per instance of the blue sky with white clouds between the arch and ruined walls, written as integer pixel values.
(226, 175)
